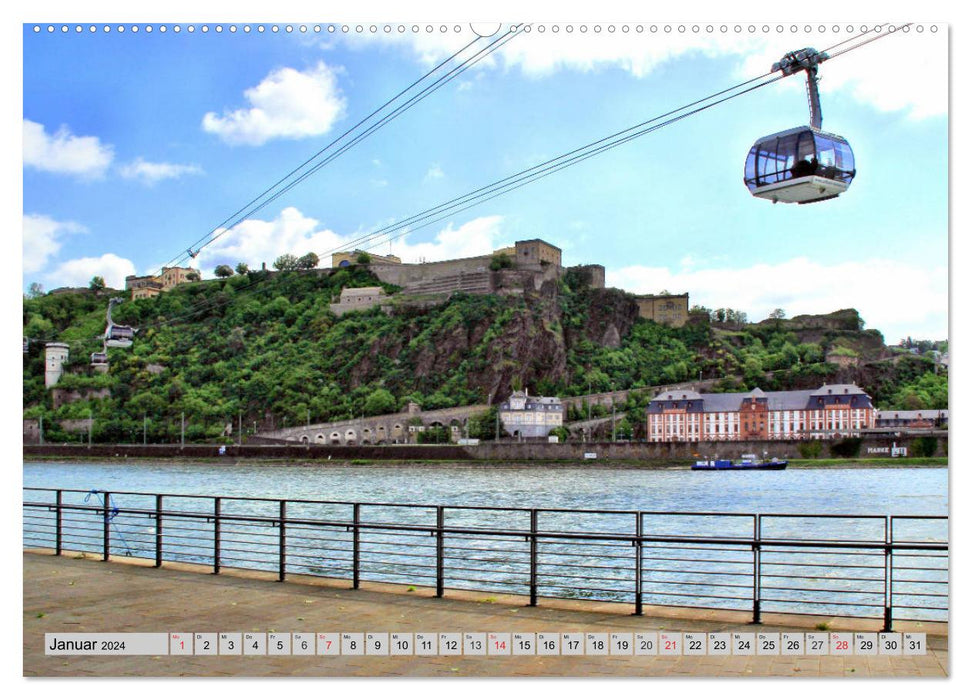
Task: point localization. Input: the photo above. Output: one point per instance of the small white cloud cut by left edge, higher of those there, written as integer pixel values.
(65, 153)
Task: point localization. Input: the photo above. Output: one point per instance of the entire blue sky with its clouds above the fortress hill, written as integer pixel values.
(151, 139)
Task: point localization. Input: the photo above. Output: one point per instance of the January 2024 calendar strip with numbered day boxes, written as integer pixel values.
(490, 644)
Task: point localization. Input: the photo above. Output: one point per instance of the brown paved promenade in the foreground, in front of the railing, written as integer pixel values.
(71, 594)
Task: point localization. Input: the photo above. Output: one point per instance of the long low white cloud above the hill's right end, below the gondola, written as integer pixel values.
(874, 287)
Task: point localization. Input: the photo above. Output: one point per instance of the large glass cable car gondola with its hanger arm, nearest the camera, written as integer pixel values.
(804, 164)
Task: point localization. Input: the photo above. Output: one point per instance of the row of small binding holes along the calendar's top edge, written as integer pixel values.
(835, 29)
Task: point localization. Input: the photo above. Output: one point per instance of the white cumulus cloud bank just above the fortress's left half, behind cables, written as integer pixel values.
(255, 241)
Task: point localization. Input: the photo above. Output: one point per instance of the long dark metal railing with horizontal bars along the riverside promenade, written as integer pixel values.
(894, 567)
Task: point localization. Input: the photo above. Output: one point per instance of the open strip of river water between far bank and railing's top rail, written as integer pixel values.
(856, 491)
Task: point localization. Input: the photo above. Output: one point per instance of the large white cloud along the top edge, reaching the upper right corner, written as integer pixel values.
(917, 83)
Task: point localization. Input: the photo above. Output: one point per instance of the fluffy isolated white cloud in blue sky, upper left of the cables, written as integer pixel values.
(287, 104)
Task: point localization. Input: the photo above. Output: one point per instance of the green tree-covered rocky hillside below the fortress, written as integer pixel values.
(265, 347)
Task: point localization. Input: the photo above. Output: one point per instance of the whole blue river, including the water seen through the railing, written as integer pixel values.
(489, 550)
